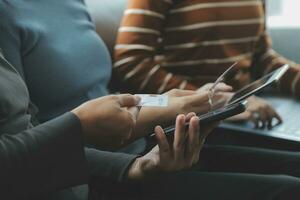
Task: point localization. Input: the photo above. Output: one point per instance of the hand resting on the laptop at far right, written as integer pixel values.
(259, 112)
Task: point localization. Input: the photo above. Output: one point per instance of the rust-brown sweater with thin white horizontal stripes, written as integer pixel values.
(165, 44)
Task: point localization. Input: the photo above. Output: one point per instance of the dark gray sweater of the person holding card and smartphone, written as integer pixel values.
(36, 162)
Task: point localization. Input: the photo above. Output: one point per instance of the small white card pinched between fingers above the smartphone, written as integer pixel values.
(152, 100)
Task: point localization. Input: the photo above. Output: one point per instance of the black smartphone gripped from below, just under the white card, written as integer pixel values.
(213, 116)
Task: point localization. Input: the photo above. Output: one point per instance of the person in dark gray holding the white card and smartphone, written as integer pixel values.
(45, 160)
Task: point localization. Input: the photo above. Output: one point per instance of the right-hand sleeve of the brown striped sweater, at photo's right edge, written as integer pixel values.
(266, 60)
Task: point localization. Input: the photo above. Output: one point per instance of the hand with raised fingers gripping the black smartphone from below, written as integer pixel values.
(181, 154)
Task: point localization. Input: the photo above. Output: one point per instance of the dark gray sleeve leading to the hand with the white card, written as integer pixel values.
(43, 159)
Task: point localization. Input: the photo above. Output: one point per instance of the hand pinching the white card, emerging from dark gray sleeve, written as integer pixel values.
(108, 122)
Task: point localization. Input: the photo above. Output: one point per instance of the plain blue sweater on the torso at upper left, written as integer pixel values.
(53, 44)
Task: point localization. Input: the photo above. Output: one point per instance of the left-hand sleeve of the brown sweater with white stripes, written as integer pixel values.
(137, 48)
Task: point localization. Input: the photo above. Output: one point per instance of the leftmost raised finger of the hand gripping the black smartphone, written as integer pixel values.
(164, 148)
